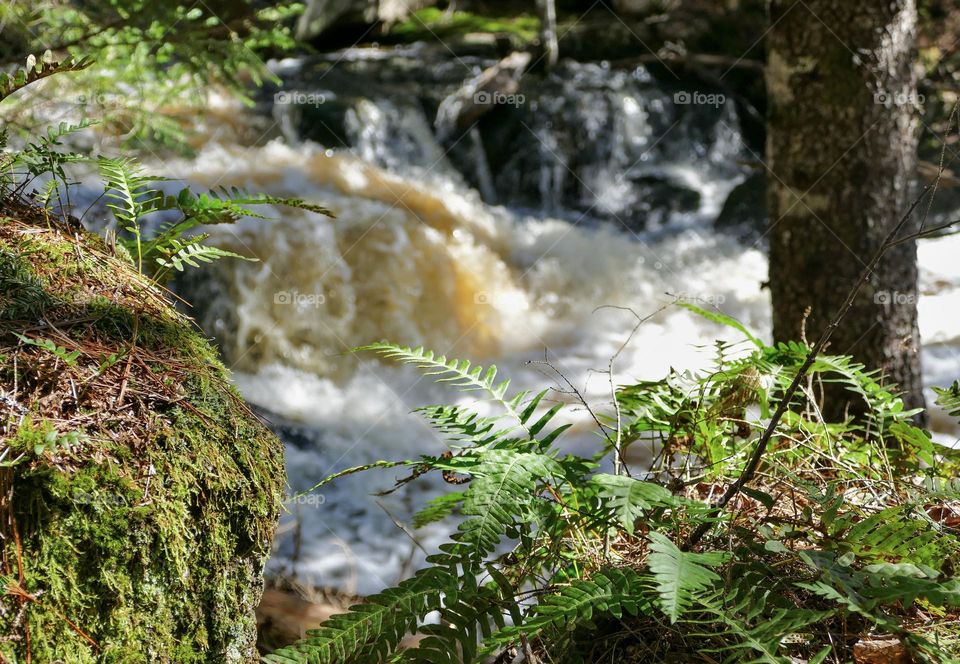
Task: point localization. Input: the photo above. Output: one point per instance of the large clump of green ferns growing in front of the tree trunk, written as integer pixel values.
(848, 529)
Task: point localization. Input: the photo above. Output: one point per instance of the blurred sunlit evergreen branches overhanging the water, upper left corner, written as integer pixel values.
(156, 62)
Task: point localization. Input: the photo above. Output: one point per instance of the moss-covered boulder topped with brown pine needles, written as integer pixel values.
(138, 494)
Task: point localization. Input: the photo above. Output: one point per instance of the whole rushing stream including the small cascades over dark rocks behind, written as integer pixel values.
(605, 200)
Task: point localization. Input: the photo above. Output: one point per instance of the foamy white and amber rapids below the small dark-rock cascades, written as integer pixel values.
(421, 260)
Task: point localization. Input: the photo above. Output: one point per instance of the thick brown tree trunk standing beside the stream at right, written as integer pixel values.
(842, 145)
